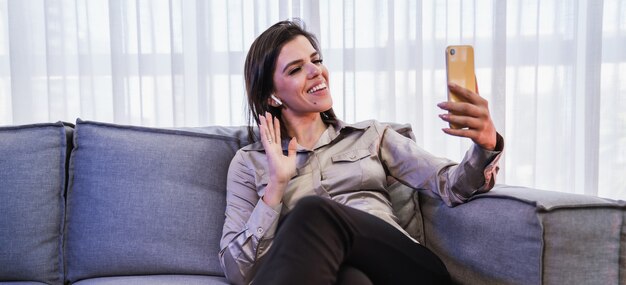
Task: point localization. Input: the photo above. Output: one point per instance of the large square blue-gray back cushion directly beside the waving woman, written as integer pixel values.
(146, 201)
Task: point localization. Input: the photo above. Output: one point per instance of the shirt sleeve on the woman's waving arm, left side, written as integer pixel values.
(249, 224)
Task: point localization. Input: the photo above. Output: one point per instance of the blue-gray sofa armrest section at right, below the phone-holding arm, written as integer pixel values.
(517, 235)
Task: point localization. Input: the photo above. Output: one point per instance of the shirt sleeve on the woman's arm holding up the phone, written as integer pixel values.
(454, 183)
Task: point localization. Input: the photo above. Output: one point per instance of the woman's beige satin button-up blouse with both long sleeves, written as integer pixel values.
(349, 164)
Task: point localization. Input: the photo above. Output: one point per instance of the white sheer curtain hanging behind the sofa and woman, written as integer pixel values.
(554, 71)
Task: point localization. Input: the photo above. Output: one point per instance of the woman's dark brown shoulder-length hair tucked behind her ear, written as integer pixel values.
(259, 71)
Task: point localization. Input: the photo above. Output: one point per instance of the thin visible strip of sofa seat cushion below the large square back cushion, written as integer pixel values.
(156, 280)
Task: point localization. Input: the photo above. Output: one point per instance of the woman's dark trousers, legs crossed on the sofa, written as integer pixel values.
(323, 242)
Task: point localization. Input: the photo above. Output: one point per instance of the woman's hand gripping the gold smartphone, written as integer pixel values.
(472, 115)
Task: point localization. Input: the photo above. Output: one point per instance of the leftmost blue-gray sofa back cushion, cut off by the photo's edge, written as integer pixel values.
(32, 184)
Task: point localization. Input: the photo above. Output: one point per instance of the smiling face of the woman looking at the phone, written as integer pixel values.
(301, 80)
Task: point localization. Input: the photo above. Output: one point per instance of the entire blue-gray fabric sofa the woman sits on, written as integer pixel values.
(97, 203)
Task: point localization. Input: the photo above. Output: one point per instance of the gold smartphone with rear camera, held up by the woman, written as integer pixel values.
(460, 70)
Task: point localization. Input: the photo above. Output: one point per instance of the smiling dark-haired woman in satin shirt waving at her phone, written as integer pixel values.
(307, 204)
